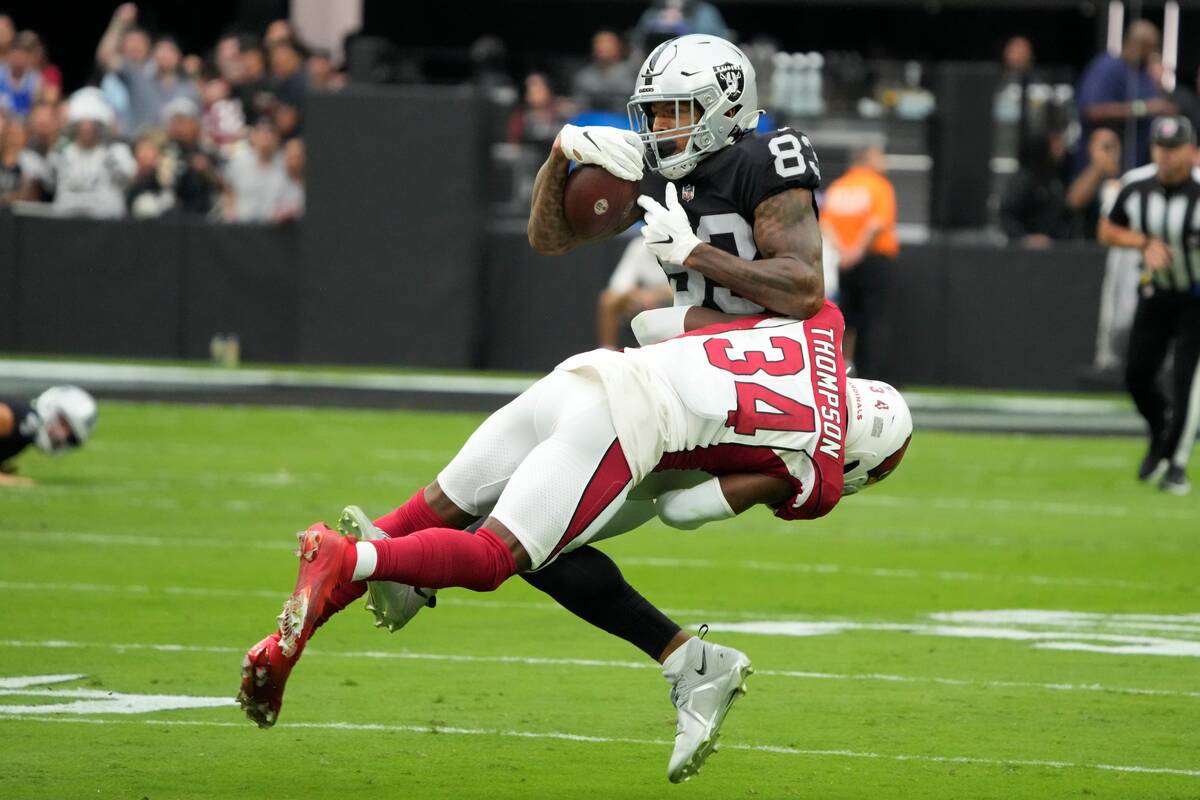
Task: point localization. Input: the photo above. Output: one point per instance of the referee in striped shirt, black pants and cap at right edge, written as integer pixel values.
(1159, 213)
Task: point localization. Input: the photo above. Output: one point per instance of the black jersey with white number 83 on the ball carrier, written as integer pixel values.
(721, 197)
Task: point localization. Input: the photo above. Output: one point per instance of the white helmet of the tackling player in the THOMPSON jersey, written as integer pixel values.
(878, 436)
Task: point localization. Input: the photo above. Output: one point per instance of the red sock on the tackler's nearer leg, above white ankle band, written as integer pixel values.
(445, 557)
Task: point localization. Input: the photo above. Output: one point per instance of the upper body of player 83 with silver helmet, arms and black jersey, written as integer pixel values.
(729, 213)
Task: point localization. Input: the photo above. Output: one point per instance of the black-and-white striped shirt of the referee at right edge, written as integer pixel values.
(1167, 213)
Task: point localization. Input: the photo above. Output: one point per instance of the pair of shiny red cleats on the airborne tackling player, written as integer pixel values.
(267, 666)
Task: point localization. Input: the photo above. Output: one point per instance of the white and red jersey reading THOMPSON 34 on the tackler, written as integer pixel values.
(761, 395)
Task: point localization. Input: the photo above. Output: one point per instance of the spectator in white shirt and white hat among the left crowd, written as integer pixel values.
(89, 176)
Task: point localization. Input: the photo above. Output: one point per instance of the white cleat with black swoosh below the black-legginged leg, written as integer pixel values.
(706, 679)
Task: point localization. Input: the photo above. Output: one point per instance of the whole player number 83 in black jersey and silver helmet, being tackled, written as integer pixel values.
(730, 214)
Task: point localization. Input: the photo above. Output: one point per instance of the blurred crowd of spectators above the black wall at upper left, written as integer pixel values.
(215, 135)
